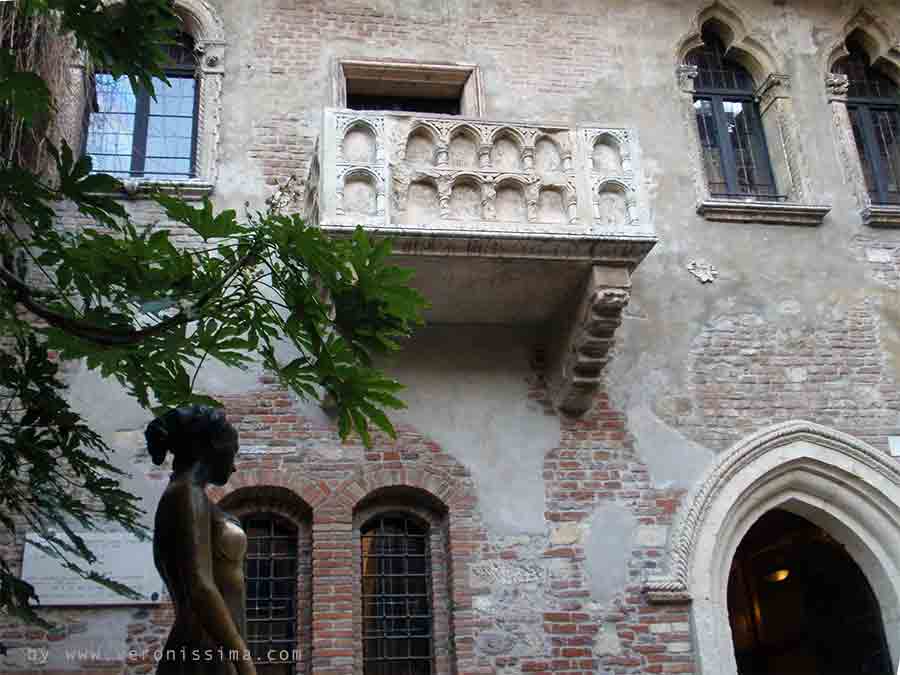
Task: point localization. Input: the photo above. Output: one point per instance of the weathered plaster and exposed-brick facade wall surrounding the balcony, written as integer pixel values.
(567, 516)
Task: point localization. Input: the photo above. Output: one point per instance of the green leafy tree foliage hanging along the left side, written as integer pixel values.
(138, 309)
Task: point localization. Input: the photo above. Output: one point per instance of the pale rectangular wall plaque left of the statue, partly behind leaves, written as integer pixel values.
(120, 556)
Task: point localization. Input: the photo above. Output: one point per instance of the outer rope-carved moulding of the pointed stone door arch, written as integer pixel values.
(675, 586)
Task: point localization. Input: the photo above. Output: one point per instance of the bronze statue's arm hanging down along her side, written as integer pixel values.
(207, 602)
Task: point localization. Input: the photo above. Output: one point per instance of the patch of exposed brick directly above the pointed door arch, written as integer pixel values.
(746, 373)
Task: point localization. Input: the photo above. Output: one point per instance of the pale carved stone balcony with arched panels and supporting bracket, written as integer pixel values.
(504, 222)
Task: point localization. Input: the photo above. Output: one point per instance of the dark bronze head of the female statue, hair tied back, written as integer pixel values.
(193, 434)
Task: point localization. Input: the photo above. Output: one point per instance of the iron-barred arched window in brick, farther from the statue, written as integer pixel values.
(396, 596)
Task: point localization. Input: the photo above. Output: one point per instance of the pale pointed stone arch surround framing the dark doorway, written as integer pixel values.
(846, 487)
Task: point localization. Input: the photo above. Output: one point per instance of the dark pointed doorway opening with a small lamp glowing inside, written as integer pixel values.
(798, 604)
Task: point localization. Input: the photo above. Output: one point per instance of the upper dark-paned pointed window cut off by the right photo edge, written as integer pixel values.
(874, 108)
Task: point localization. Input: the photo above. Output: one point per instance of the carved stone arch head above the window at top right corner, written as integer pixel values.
(875, 35)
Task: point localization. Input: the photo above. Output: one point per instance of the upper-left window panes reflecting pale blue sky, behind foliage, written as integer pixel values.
(132, 135)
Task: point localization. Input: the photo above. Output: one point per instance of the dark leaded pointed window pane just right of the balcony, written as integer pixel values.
(735, 156)
